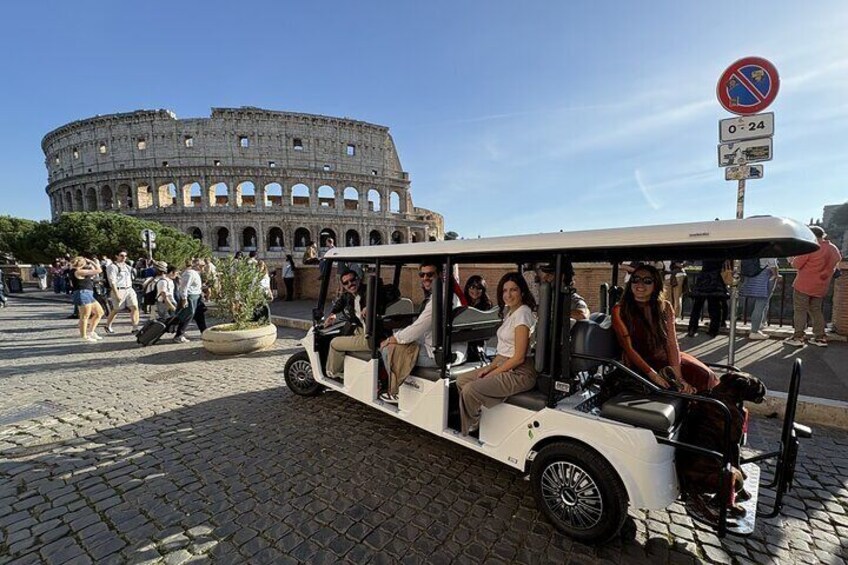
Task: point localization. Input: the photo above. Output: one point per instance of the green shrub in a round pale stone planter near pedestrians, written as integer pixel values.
(238, 296)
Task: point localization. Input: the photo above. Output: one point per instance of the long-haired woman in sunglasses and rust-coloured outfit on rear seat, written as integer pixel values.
(644, 324)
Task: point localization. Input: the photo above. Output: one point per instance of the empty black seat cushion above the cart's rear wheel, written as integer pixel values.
(656, 413)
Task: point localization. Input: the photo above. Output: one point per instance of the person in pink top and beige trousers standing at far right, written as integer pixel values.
(814, 273)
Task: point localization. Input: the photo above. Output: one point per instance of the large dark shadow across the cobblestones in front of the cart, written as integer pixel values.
(261, 475)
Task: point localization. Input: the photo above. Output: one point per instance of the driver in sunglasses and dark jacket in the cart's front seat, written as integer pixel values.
(350, 307)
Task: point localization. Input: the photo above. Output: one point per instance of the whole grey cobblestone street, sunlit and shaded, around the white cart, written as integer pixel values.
(113, 453)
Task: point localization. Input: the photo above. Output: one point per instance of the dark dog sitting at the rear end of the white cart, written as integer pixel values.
(705, 427)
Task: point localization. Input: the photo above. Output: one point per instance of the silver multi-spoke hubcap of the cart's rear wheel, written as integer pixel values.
(572, 495)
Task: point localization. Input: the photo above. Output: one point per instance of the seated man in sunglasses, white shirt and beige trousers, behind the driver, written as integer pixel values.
(420, 332)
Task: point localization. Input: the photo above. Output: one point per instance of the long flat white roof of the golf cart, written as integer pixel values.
(725, 239)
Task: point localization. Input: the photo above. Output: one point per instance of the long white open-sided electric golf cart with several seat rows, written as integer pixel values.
(588, 459)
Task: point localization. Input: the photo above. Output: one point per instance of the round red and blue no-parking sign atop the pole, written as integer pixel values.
(748, 86)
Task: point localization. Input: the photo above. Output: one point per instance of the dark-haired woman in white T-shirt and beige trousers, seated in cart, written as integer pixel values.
(512, 370)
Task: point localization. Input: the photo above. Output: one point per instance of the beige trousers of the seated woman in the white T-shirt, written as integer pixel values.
(474, 392)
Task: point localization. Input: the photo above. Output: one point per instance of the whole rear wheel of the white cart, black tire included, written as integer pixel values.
(579, 492)
